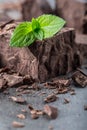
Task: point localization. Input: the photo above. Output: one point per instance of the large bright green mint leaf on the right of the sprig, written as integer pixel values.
(50, 24)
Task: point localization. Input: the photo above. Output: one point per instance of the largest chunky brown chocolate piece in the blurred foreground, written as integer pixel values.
(51, 111)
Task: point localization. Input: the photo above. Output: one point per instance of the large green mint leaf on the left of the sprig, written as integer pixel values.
(22, 35)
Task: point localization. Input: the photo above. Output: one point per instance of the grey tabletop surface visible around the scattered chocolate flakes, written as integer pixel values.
(71, 116)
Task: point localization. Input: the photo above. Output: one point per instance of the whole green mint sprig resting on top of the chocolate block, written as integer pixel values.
(44, 26)
